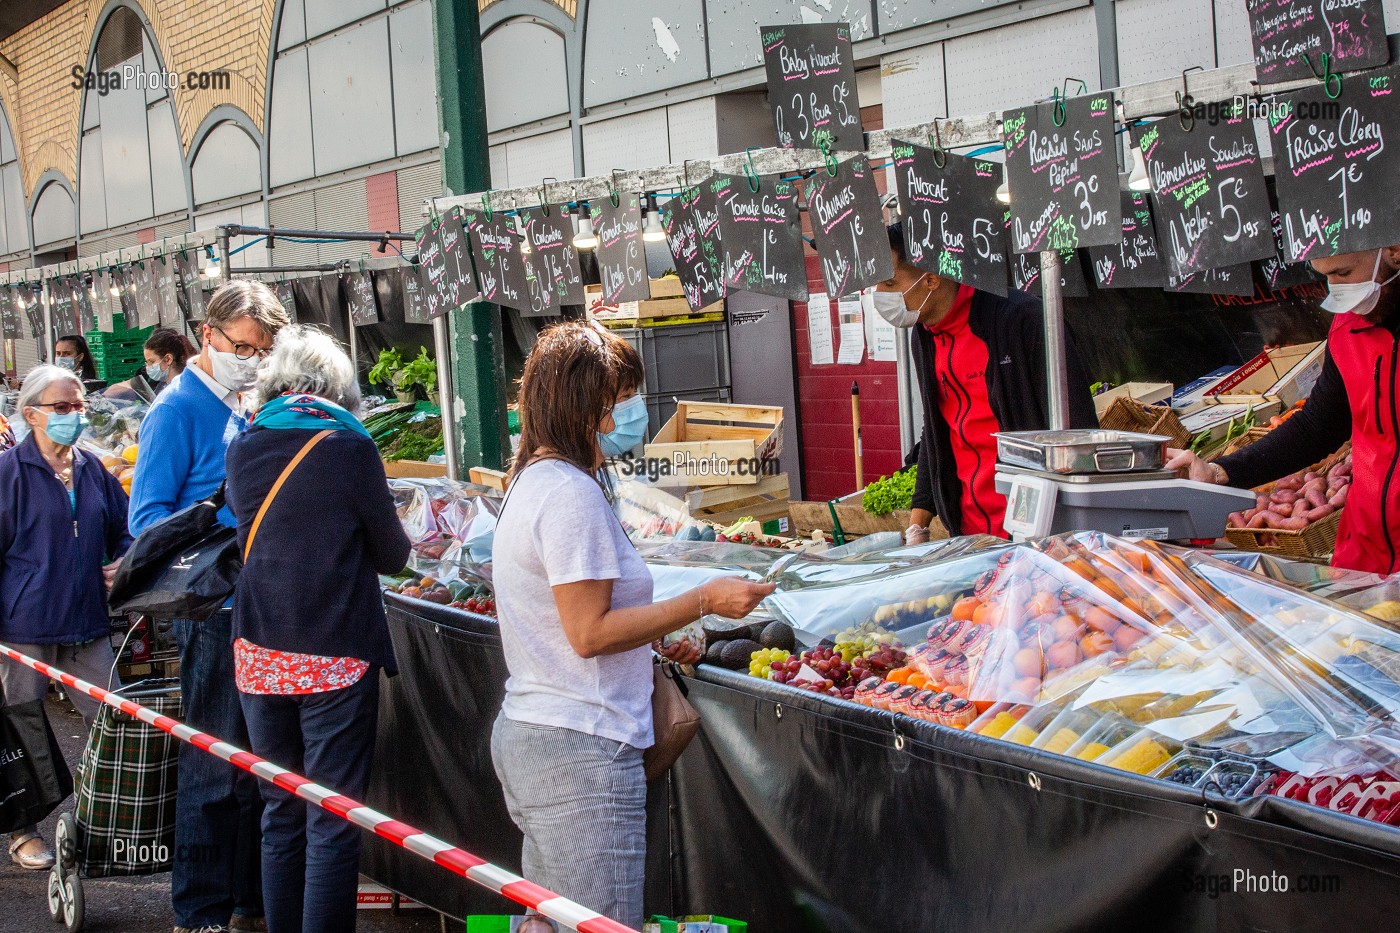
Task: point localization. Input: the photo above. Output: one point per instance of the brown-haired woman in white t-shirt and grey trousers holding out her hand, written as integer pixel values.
(577, 626)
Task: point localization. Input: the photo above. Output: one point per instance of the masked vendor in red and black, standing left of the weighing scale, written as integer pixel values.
(982, 369)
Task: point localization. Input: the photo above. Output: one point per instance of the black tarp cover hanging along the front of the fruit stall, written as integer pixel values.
(797, 813)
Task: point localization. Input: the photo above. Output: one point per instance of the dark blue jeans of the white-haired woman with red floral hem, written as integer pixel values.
(310, 857)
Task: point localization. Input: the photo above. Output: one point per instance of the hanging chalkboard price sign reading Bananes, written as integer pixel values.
(850, 228)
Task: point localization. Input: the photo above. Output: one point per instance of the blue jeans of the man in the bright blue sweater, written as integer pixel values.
(218, 806)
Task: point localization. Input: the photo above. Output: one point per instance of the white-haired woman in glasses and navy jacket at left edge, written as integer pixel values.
(62, 533)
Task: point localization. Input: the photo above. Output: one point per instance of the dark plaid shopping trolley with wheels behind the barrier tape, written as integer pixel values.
(124, 817)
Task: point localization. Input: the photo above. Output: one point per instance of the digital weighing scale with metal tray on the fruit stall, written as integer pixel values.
(1139, 499)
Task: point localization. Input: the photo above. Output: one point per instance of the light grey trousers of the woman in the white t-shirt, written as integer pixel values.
(582, 803)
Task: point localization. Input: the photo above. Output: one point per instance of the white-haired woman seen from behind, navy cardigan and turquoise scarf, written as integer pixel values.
(310, 635)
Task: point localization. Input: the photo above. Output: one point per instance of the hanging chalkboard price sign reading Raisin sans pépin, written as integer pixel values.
(1063, 179)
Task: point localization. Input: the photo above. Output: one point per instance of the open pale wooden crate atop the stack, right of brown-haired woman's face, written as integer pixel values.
(720, 436)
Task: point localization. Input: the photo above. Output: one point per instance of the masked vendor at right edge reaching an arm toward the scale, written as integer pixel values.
(1354, 400)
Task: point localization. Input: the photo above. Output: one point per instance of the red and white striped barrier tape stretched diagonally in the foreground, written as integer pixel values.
(576, 917)
